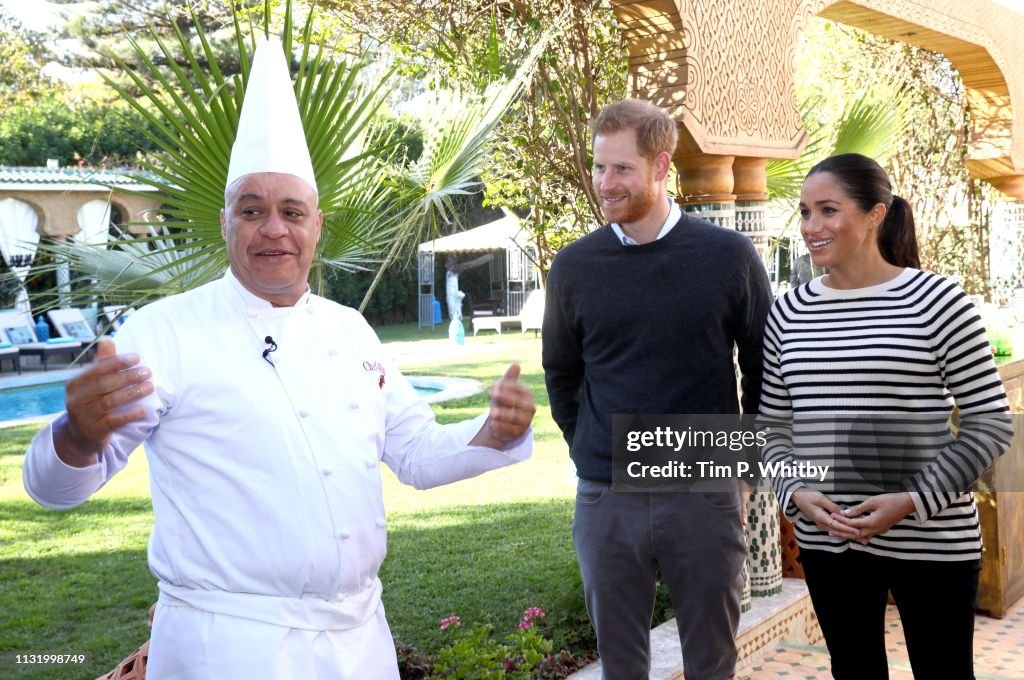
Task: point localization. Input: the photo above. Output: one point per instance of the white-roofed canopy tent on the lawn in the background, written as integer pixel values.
(514, 276)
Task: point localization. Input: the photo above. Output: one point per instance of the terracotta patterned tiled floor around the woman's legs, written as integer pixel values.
(999, 653)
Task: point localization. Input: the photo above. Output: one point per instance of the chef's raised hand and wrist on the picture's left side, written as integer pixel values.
(97, 402)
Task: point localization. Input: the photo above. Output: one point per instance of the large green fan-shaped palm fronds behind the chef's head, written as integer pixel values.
(373, 203)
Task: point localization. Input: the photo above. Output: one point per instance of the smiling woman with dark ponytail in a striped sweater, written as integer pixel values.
(863, 369)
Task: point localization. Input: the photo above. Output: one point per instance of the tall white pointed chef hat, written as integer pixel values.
(271, 137)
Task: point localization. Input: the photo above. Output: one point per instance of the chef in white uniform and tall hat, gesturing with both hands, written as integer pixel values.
(266, 412)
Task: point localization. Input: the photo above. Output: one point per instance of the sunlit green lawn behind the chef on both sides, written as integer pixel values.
(76, 582)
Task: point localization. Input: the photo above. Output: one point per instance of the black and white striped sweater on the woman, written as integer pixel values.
(865, 381)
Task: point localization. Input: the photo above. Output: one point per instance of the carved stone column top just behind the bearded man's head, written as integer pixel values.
(705, 184)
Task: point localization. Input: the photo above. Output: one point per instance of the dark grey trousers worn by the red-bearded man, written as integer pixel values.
(696, 540)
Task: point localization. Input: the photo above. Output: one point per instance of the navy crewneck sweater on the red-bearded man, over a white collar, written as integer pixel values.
(651, 329)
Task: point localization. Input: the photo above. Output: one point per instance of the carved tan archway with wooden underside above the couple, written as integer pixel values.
(726, 71)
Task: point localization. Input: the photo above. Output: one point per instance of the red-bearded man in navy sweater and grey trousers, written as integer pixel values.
(643, 317)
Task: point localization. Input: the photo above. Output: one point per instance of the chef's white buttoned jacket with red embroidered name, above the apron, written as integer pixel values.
(266, 478)
